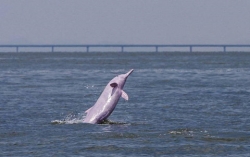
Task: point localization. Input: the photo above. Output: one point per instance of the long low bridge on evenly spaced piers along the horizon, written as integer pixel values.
(123, 47)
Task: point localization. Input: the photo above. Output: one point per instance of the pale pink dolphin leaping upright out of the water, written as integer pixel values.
(108, 100)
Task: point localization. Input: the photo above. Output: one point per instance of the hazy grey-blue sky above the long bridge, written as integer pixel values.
(125, 21)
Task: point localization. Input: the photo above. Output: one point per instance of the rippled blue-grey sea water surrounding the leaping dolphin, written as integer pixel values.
(180, 104)
